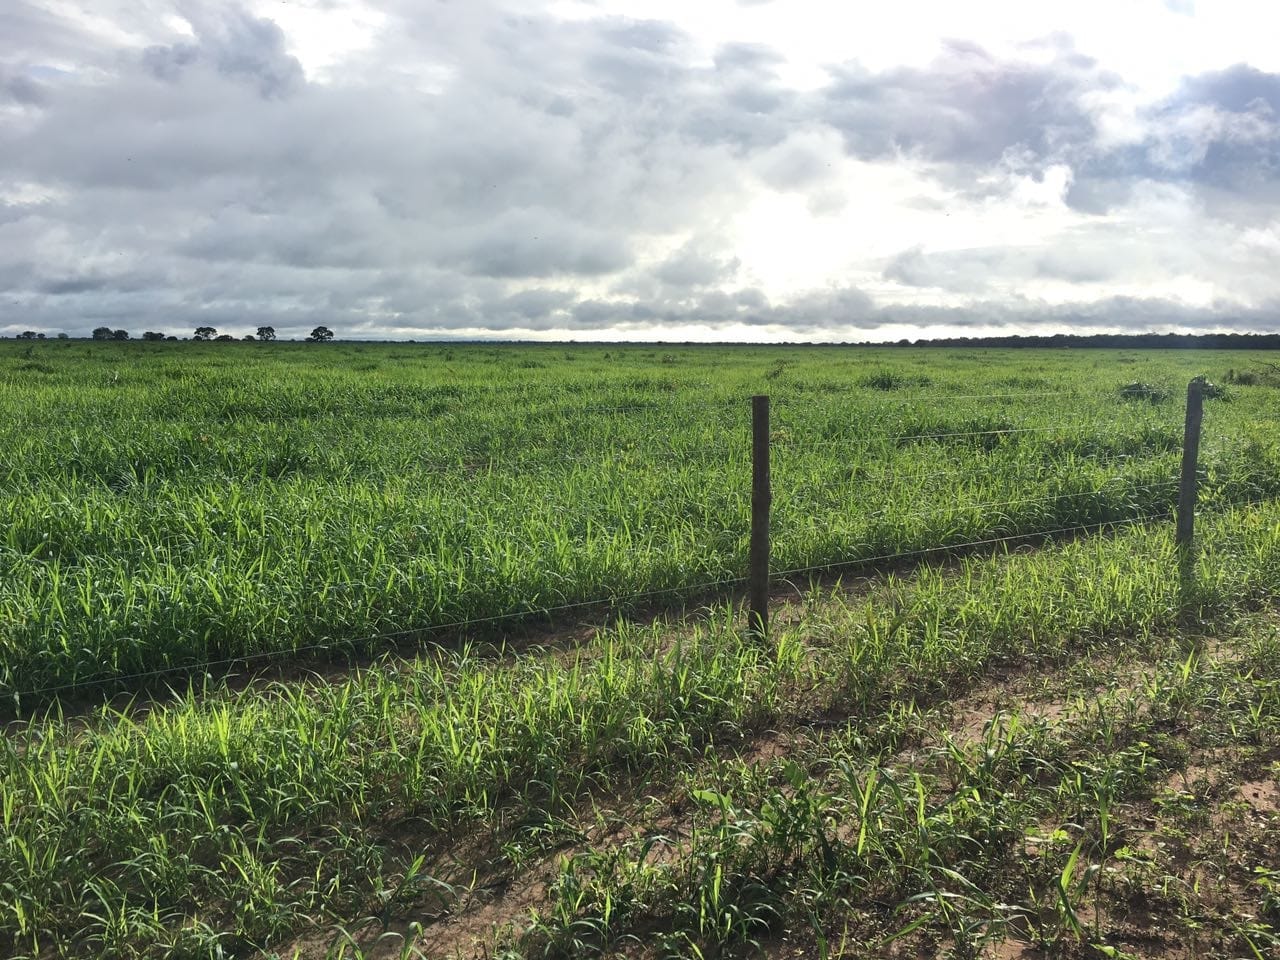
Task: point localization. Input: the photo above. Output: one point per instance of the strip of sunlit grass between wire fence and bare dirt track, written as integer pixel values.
(225, 822)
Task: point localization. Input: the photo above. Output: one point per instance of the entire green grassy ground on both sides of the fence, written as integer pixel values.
(1041, 740)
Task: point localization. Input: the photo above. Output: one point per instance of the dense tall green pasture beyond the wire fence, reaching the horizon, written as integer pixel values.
(167, 506)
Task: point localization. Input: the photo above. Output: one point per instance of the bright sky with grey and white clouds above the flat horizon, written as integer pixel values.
(669, 170)
